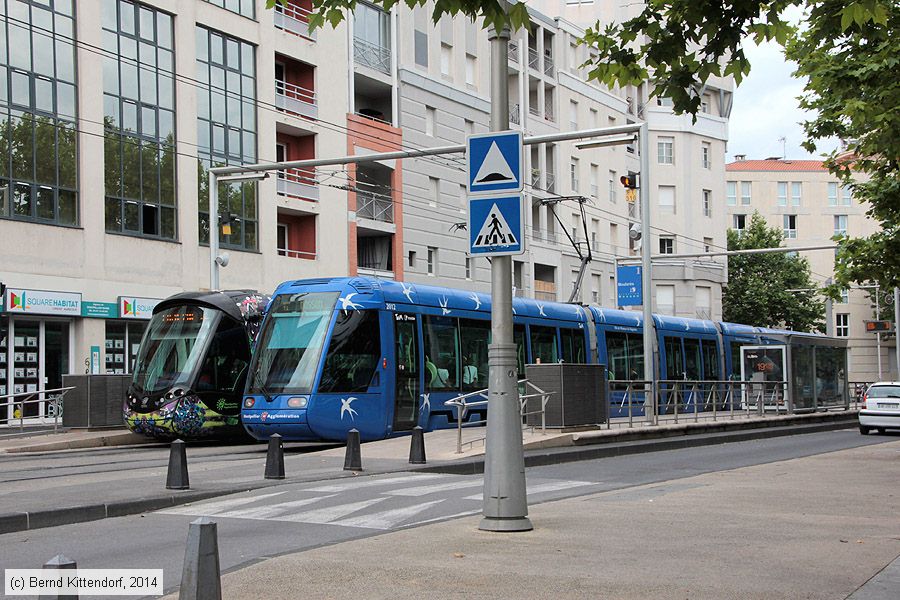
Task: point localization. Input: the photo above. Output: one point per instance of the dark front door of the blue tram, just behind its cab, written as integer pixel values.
(406, 372)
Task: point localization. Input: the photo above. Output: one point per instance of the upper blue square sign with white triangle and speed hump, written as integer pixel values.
(494, 162)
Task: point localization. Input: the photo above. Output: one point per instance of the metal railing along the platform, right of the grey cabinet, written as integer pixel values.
(674, 400)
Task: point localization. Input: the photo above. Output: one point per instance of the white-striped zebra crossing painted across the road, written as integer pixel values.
(379, 503)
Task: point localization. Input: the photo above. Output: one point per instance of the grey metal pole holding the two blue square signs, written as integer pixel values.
(505, 506)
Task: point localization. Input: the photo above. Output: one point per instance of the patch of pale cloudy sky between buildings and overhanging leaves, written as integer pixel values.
(766, 109)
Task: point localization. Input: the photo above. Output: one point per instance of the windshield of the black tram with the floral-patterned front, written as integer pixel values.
(173, 347)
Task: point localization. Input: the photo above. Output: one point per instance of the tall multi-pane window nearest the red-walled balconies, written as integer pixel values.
(226, 129)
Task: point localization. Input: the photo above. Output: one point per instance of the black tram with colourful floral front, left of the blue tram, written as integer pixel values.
(191, 366)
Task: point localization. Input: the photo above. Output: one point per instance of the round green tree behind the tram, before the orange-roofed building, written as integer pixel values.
(764, 289)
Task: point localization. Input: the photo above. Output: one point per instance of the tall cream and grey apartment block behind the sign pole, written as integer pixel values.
(443, 94)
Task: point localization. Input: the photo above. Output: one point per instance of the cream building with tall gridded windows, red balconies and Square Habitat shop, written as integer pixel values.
(112, 112)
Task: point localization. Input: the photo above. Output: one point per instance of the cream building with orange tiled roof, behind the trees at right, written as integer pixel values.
(809, 204)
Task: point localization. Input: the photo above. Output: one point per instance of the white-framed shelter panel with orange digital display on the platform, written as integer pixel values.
(764, 368)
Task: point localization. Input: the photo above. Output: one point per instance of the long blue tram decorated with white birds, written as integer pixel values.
(382, 357)
